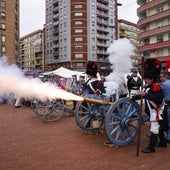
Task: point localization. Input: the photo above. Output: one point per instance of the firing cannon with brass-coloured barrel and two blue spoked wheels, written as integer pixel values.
(120, 118)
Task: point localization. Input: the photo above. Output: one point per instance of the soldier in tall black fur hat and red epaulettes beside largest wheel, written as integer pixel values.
(153, 95)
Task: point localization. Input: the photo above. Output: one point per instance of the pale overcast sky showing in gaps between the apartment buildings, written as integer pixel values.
(32, 14)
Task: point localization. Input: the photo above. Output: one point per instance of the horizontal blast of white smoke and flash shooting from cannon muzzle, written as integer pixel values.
(13, 81)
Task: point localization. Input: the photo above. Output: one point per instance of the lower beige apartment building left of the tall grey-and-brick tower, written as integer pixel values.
(31, 57)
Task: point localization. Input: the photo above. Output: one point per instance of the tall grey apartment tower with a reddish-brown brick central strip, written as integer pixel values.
(78, 31)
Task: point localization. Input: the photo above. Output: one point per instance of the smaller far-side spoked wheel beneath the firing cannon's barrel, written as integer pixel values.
(86, 118)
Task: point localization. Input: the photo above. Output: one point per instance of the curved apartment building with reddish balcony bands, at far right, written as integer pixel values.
(154, 23)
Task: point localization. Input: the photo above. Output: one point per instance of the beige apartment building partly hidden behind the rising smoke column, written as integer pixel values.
(129, 30)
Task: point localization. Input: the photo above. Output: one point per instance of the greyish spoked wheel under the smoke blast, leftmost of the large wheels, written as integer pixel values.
(48, 111)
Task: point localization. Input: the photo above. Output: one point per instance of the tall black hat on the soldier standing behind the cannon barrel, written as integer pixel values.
(91, 68)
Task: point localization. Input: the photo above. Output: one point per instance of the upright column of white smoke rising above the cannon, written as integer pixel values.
(120, 53)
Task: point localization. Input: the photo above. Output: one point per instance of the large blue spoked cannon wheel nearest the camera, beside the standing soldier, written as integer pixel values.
(122, 122)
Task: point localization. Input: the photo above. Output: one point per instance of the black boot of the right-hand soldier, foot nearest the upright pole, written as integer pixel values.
(151, 147)
